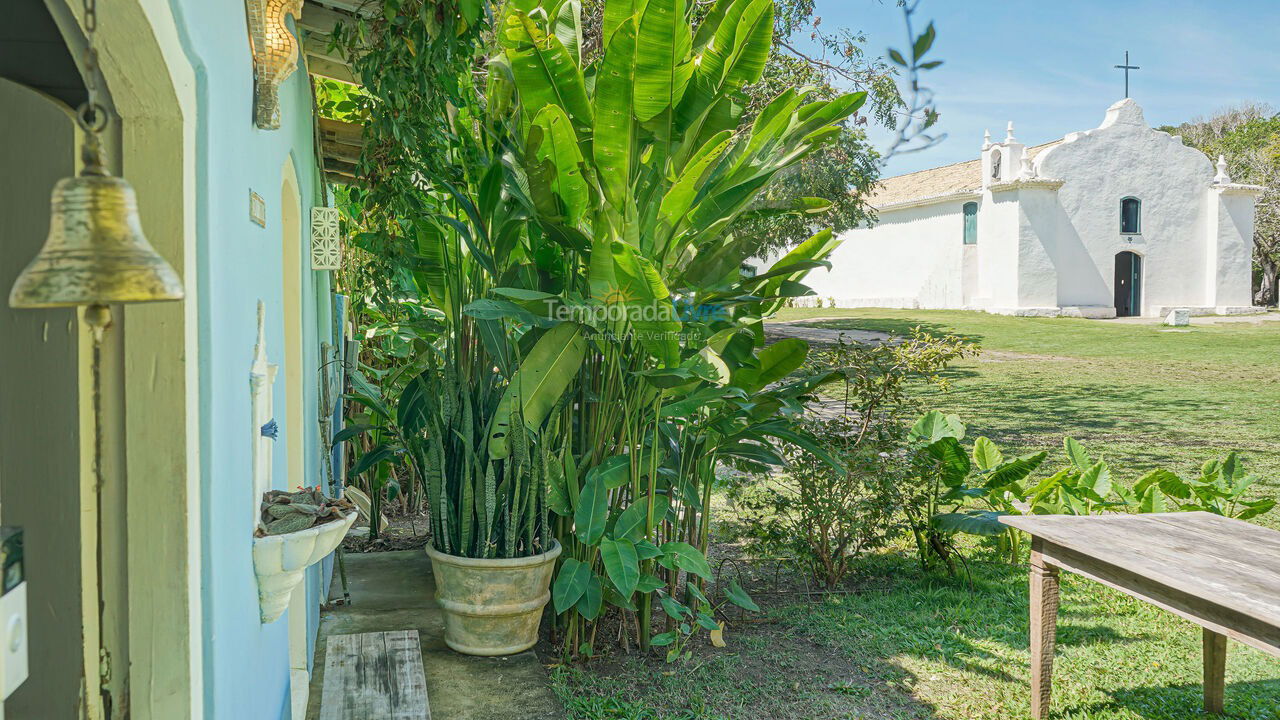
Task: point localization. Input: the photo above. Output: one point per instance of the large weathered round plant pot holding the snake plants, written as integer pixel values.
(492, 607)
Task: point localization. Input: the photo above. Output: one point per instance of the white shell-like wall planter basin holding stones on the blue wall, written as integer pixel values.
(280, 562)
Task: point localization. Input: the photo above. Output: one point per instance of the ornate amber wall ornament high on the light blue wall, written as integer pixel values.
(276, 56)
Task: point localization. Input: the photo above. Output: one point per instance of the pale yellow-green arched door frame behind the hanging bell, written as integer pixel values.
(152, 625)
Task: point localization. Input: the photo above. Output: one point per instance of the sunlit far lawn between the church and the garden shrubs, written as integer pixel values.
(1141, 395)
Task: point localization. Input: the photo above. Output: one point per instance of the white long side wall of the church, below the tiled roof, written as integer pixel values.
(913, 258)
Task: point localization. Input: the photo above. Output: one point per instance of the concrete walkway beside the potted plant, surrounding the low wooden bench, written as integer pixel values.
(394, 591)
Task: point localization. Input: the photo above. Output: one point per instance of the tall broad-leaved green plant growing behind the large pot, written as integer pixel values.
(637, 167)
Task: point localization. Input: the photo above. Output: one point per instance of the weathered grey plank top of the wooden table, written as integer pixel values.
(1226, 562)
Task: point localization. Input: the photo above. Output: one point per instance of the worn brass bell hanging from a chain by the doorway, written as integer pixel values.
(95, 253)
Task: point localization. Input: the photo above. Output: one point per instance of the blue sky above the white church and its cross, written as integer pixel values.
(1048, 65)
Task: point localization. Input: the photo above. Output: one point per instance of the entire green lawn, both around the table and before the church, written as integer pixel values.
(915, 646)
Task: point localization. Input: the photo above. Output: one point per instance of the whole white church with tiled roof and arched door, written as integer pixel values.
(1117, 221)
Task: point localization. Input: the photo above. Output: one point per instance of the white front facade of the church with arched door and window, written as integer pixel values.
(1124, 158)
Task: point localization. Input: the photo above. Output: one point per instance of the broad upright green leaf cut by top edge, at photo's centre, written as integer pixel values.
(662, 69)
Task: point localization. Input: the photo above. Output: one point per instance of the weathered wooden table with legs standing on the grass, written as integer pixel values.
(1219, 573)
